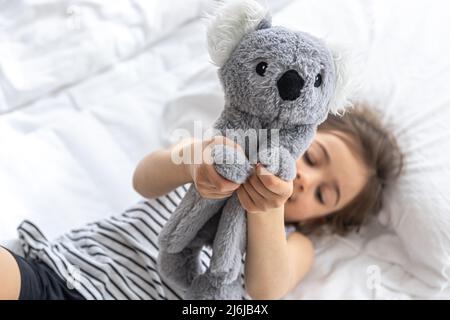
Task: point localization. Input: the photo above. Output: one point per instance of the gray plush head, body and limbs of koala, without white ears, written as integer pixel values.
(251, 101)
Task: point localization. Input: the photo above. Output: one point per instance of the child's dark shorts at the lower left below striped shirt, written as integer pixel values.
(39, 282)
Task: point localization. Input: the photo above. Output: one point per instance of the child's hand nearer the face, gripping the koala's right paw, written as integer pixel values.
(264, 191)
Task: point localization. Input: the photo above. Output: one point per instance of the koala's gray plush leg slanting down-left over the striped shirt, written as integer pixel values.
(186, 221)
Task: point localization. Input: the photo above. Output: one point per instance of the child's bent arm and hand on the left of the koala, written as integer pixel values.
(157, 174)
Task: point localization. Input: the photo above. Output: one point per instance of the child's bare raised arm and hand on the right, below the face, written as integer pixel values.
(273, 265)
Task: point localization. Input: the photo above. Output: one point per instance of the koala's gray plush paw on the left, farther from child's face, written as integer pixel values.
(231, 163)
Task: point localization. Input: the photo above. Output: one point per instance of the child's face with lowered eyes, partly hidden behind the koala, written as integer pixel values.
(323, 186)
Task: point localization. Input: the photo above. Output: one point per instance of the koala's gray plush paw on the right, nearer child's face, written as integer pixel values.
(279, 162)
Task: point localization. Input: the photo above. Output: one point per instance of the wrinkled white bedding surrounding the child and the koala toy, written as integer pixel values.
(87, 89)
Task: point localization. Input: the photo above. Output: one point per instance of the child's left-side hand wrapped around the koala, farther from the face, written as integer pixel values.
(205, 177)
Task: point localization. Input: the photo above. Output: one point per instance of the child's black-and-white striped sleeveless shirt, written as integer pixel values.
(114, 258)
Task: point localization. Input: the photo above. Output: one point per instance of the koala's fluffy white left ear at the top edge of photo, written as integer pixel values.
(230, 22)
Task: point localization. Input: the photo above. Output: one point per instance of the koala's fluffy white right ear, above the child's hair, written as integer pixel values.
(347, 79)
